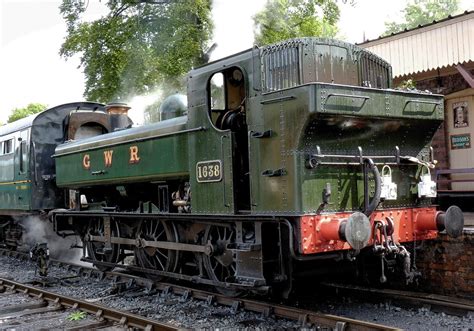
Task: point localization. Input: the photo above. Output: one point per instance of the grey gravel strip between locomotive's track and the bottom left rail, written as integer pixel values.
(191, 314)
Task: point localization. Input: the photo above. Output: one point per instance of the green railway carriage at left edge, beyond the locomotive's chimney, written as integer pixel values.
(27, 171)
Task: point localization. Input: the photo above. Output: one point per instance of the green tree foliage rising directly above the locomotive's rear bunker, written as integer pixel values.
(284, 19)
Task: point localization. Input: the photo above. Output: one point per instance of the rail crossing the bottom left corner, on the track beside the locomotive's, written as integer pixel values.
(121, 317)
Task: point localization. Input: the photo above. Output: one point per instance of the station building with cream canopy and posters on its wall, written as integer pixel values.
(439, 57)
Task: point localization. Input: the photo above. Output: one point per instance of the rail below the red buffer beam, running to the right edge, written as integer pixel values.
(437, 303)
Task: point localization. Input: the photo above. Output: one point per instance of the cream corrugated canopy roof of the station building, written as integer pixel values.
(435, 45)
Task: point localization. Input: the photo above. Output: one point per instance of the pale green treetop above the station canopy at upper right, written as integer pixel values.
(420, 12)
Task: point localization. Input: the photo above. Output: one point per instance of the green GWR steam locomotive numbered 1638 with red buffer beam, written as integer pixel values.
(288, 157)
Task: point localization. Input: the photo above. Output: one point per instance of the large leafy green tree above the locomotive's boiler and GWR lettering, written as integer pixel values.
(138, 45)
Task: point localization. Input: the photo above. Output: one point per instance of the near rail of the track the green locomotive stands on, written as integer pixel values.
(305, 317)
